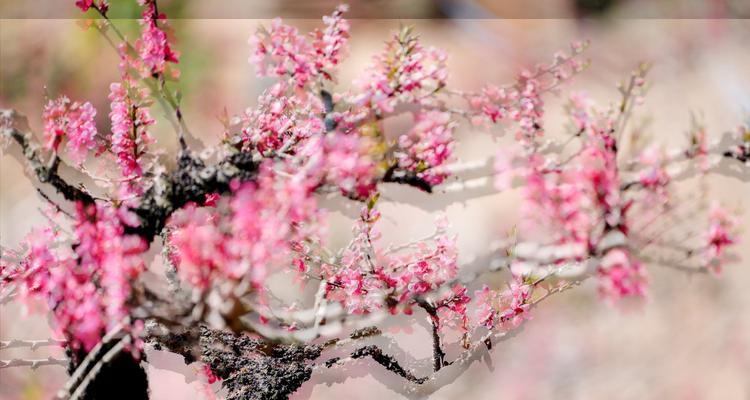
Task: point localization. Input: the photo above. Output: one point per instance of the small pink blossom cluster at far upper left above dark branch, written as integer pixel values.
(73, 121)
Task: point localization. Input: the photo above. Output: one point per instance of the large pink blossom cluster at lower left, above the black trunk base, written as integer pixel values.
(87, 287)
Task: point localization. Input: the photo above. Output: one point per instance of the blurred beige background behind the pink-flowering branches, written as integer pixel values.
(691, 338)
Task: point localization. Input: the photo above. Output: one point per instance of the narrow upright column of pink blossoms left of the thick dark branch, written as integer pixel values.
(129, 128)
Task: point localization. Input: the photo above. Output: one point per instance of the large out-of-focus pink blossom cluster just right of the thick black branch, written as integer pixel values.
(245, 234)
